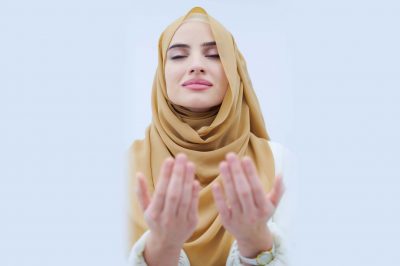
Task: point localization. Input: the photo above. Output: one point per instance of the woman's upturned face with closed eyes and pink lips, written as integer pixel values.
(193, 58)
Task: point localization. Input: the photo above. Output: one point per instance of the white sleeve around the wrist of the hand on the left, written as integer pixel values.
(136, 255)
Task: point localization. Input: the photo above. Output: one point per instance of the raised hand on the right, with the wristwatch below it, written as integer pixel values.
(248, 207)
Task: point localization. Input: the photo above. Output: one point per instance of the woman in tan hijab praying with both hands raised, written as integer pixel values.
(206, 158)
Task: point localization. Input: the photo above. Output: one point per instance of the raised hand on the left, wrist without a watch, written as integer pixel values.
(171, 213)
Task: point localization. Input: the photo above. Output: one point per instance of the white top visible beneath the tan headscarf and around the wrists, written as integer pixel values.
(281, 223)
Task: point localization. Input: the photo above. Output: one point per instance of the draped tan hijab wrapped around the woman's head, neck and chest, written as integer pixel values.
(236, 125)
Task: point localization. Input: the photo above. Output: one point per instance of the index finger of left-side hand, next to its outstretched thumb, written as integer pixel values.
(161, 189)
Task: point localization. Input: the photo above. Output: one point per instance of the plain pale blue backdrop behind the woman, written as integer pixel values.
(75, 85)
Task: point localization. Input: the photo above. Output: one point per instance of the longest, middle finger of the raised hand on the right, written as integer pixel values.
(241, 185)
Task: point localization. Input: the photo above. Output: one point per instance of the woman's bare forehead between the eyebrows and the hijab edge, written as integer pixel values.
(193, 32)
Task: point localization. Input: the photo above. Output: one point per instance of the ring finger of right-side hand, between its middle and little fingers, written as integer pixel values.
(229, 188)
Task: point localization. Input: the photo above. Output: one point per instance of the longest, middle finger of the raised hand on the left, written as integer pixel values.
(175, 186)
